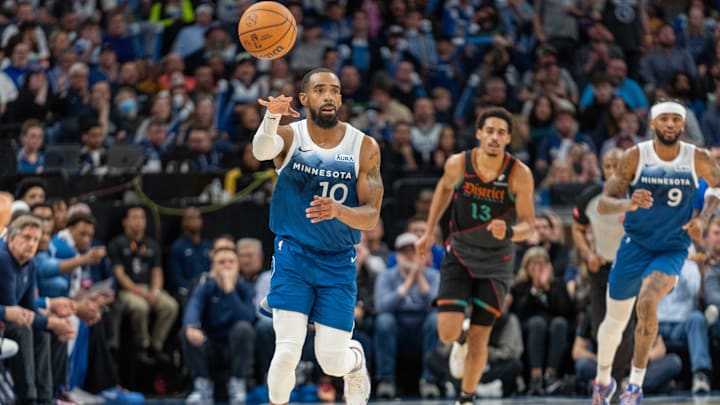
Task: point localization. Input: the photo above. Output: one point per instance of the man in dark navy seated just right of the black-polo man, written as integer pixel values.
(189, 254)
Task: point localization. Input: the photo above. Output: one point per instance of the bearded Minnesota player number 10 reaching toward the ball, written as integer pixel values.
(328, 188)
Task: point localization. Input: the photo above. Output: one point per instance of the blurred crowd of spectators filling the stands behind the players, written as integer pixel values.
(125, 127)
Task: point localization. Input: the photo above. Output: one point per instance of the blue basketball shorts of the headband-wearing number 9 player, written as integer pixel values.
(633, 263)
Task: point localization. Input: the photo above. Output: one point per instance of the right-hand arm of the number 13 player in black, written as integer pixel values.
(523, 187)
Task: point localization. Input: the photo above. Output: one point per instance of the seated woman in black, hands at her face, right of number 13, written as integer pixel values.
(544, 307)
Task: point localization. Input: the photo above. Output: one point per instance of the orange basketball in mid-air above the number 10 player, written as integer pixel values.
(267, 30)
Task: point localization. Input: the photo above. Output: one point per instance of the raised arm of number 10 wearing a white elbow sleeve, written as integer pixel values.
(272, 141)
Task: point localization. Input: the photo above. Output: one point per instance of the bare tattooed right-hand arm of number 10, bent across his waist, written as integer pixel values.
(369, 189)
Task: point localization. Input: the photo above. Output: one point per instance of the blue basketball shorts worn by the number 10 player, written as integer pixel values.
(322, 286)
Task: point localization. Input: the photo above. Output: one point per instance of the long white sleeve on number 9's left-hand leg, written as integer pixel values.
(609, 335)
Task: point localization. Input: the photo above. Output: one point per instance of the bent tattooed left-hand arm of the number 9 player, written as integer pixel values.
(614, 197)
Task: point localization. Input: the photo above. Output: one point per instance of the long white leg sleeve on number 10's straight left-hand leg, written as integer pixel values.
(290, 330)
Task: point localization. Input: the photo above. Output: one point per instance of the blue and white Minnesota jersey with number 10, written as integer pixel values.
(310, 170)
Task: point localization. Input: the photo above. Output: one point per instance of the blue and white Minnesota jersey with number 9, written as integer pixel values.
(673, 186)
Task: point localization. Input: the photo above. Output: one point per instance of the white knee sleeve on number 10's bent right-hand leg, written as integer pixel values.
(332, 350)
